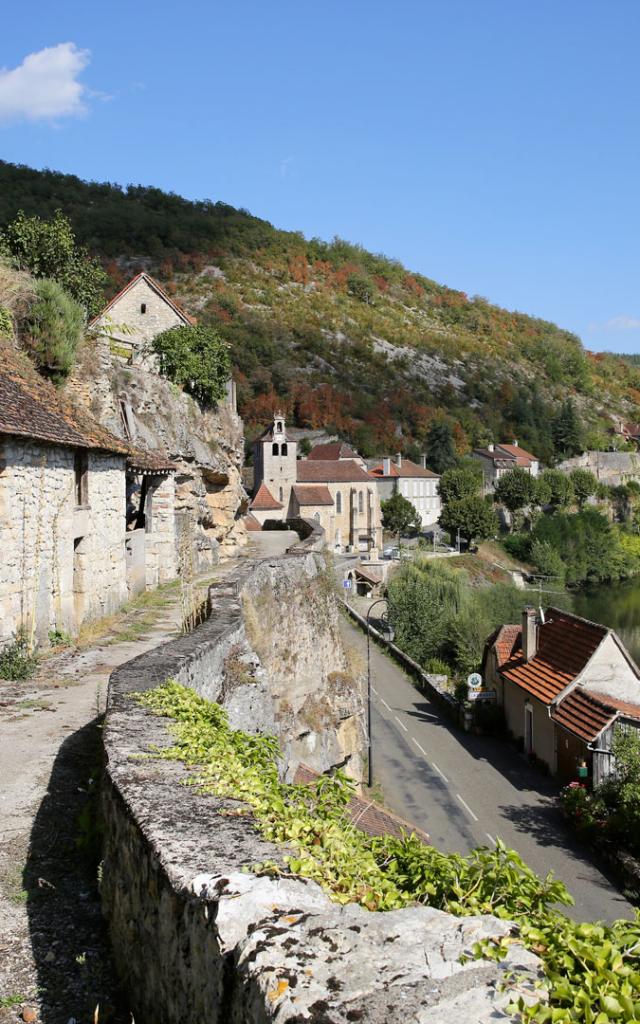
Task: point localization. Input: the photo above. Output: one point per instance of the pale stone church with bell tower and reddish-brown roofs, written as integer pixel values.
(337, 493)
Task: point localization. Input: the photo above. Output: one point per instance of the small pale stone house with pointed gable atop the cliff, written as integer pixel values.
(145, 311)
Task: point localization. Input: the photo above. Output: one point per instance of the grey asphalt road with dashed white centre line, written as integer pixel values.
(467, 791)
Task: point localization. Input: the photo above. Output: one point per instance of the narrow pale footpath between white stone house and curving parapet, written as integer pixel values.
(55, 962)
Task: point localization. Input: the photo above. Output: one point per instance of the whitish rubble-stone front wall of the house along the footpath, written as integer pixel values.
(61, 565)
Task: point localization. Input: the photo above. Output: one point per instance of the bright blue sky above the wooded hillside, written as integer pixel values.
(491, 145)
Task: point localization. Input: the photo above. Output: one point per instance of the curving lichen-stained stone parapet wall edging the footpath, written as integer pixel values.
(197, 936)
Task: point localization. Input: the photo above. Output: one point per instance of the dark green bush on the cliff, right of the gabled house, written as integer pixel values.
(195, 359)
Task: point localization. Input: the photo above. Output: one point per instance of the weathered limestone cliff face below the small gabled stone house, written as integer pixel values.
(207, 446)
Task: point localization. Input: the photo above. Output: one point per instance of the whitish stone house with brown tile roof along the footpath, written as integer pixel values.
(67, 553)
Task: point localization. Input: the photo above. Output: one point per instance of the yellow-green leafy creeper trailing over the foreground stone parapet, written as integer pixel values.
(593, 971)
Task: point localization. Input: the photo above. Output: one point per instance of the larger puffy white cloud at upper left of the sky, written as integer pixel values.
(46, 87)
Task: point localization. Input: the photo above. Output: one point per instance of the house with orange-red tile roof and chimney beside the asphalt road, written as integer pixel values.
(566, 686)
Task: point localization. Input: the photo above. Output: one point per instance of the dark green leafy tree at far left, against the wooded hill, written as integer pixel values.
(48, 249)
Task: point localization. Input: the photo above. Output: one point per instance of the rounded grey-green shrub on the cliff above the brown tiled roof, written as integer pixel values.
(53, 330)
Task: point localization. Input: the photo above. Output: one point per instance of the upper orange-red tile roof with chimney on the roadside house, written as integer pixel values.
(566, 644)
